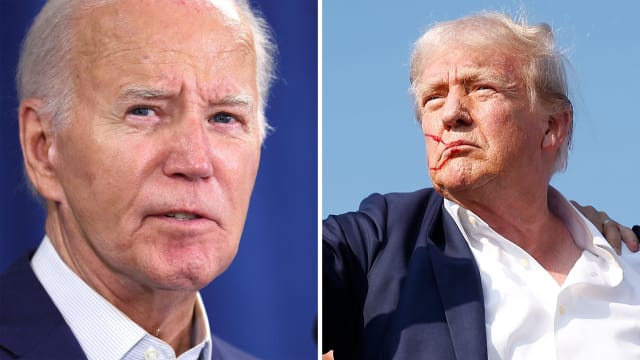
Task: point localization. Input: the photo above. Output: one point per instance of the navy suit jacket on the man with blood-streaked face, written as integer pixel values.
(400, 282)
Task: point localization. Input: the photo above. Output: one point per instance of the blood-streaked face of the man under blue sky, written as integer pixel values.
(478, 125)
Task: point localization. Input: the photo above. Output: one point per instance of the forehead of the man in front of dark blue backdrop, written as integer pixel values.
(163, 23)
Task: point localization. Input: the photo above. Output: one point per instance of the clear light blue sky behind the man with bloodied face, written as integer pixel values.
(371, 142)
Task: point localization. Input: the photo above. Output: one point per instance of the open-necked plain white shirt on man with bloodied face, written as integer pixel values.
(594, 314)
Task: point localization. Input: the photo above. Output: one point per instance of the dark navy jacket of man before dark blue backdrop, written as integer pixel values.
(31, 327)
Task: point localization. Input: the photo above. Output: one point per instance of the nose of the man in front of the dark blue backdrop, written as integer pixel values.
(190, 155)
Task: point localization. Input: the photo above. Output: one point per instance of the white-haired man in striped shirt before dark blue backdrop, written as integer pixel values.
(141, 124)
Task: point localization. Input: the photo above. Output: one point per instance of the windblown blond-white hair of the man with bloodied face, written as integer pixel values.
(542, 70)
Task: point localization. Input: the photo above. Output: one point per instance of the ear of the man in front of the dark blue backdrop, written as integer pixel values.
(38, 149)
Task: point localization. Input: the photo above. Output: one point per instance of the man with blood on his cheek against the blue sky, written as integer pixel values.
(492, 262)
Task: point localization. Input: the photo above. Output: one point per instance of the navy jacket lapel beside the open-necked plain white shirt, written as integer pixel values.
(460, 287)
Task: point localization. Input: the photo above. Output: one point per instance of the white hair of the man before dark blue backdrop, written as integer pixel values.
(45, 68)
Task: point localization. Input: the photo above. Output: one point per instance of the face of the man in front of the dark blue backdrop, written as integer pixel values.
(159, 159)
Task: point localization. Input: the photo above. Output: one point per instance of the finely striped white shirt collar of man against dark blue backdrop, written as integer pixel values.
(103, 331)
